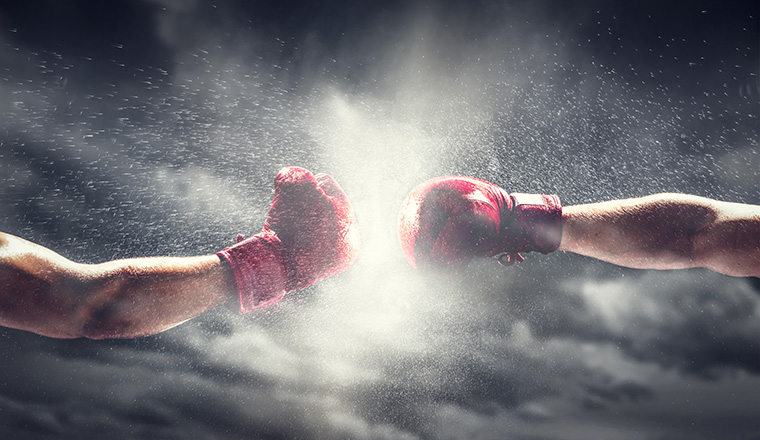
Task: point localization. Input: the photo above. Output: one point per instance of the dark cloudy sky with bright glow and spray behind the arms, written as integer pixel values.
(155, 127)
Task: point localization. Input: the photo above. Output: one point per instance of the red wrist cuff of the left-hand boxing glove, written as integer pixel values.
(259, 270)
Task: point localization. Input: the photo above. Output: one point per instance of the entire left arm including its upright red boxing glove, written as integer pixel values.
(310, 234)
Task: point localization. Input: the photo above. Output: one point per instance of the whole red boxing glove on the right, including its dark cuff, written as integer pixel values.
(447, 221)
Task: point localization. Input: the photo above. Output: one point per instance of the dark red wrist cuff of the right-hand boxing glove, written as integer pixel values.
(538, 218)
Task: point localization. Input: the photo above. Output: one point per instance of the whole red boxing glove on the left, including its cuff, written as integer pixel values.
(310, 234)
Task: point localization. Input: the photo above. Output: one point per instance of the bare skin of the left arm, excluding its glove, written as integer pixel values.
(45, 293)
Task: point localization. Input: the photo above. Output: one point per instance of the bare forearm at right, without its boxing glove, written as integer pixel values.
(667, 231)
